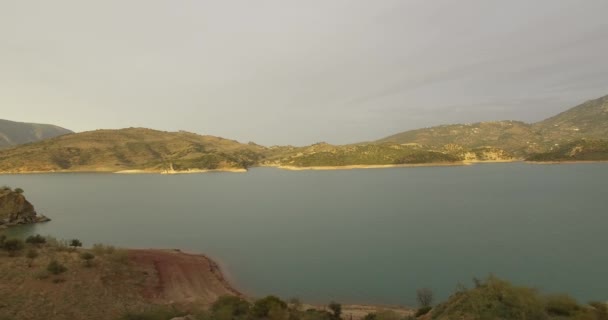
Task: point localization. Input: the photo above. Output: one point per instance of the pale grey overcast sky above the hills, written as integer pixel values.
(298, 72)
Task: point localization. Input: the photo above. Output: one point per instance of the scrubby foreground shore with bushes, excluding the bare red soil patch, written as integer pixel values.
(43, 276)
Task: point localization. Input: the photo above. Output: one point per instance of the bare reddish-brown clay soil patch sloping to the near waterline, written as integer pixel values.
(177, 277)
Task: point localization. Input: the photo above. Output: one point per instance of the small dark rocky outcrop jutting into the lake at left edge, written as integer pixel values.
(15, 209)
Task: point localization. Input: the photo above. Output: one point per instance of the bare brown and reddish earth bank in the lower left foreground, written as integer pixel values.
(119, 281)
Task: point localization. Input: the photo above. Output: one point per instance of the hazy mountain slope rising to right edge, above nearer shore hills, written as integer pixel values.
(588, 120)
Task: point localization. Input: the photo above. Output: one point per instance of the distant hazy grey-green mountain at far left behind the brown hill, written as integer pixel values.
(15, 133)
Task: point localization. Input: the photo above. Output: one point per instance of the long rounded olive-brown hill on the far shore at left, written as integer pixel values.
(129, 149)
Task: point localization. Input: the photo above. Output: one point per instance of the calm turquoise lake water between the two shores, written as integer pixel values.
(366, 236)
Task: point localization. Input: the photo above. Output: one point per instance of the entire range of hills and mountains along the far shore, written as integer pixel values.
(576, 134)
